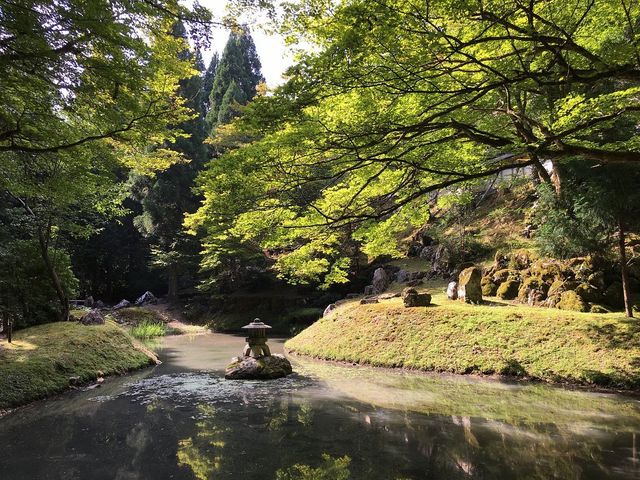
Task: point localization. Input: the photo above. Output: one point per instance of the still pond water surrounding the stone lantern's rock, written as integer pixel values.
(182, 420)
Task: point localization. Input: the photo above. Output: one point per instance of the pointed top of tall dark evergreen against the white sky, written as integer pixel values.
(240, 65)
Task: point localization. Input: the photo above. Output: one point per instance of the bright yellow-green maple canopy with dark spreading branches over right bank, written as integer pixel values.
(395, 101)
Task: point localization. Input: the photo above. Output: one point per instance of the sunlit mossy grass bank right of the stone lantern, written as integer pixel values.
(498, 338)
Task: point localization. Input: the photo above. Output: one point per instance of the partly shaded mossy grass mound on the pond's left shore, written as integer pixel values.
(42, 360)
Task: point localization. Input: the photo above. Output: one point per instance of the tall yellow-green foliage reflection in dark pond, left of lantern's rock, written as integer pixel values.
(202, 452)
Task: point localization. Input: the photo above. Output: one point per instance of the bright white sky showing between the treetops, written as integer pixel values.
(274, 56)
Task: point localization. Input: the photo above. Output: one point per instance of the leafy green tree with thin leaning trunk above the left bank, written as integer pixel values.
(88, 88)
